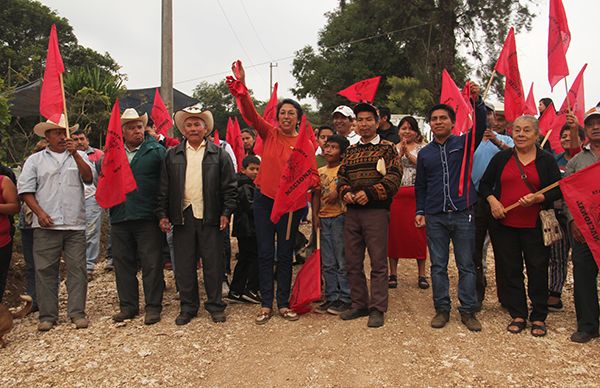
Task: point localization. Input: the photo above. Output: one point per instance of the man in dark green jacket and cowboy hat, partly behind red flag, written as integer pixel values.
(134, 230)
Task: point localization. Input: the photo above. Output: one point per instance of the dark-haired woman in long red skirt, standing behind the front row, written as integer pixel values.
(405, 240)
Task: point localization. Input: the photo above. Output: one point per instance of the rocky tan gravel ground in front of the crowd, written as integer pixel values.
(317, 350)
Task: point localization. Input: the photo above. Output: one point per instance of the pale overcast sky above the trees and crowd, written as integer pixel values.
(210, 34)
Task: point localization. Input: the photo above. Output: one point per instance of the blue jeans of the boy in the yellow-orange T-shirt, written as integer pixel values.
(332, 259)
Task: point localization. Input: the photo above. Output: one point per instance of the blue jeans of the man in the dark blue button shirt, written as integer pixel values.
(460, 228)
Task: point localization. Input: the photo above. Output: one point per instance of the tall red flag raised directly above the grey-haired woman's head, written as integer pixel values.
(508, 66)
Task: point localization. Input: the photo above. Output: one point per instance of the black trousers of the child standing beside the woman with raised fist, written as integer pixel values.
(245, 275)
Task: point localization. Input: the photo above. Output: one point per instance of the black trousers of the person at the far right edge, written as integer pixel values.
(585, 277)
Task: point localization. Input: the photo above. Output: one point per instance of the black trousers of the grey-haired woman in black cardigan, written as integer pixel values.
(512, 246)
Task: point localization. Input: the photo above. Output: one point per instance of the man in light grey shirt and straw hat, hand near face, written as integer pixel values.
(52, 185)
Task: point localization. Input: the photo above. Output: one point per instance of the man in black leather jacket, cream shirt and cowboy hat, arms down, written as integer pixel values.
(197, 196)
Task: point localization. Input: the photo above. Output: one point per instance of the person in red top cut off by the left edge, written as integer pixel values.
(9, 205)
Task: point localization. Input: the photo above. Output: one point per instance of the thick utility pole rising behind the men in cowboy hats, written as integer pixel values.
(166, 64)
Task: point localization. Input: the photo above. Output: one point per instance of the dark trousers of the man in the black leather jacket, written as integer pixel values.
(193, 240)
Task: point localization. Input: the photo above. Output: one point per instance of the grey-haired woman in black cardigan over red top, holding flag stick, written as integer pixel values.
(514, 176)
